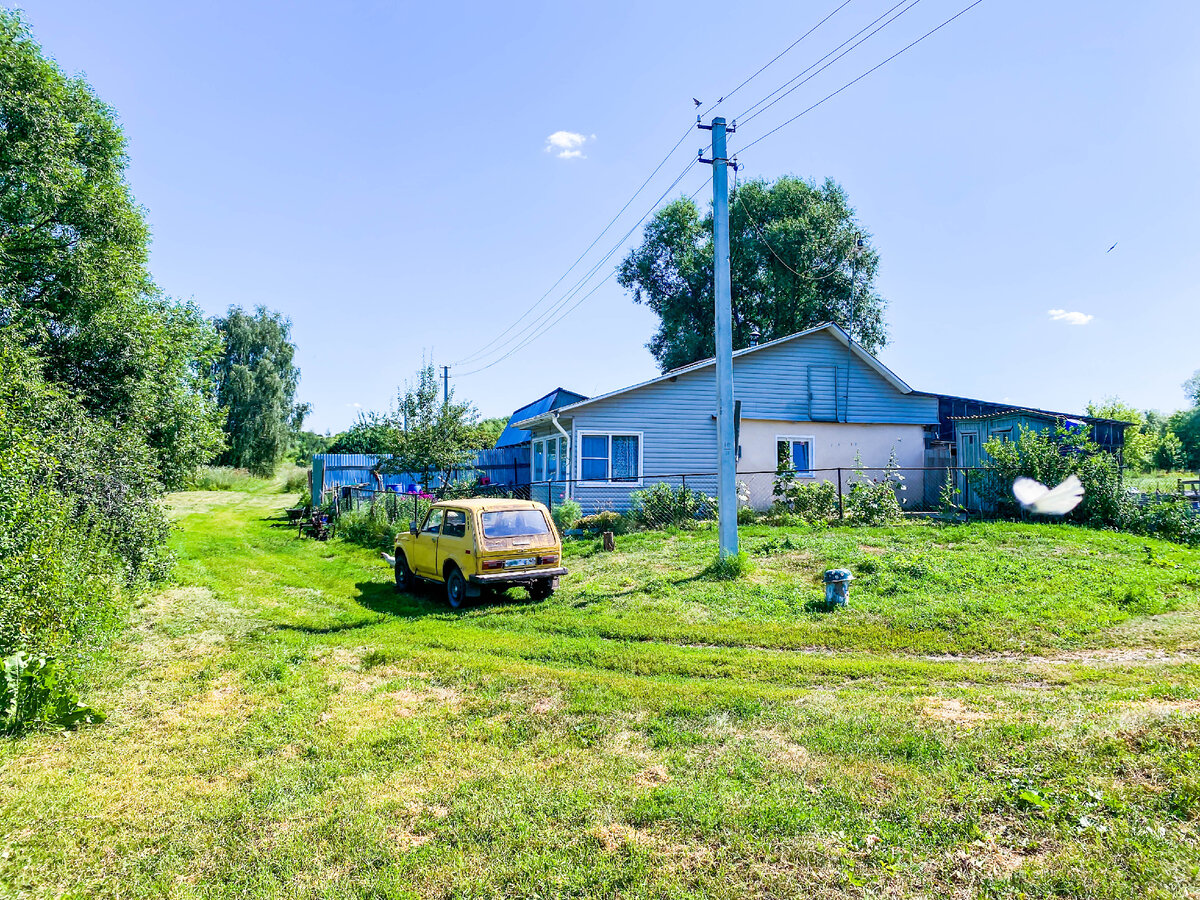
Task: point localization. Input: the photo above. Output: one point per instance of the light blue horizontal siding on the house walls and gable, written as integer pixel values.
(676, 417)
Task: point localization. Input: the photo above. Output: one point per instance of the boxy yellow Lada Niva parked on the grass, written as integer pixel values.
(483, 543)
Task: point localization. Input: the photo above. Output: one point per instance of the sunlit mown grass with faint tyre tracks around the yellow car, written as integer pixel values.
(1005, 712)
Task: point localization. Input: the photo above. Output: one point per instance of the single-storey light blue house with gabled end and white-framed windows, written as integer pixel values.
(813, 397)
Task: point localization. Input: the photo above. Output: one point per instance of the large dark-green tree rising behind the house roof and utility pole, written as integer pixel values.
(793, 266)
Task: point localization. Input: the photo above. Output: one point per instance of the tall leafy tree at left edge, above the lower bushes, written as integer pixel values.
(74, 280)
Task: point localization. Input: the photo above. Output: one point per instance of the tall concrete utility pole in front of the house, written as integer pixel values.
(727, 440)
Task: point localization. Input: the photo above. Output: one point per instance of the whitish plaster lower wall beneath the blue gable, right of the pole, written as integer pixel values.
(835, 445)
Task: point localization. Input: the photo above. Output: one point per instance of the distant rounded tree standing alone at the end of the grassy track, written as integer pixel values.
(256, 382)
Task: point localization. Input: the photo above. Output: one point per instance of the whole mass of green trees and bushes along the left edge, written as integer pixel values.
(105, 385)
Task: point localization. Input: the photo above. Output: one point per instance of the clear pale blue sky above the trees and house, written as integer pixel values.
(383, 175)
